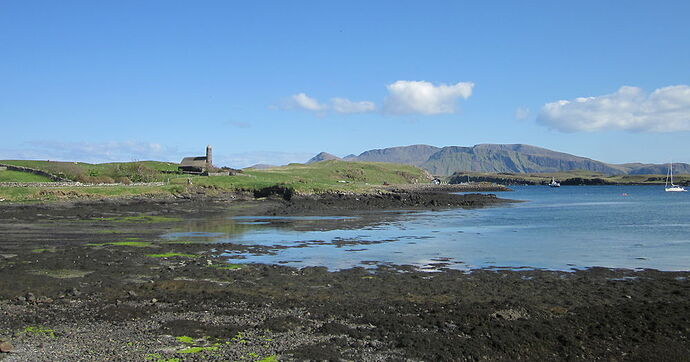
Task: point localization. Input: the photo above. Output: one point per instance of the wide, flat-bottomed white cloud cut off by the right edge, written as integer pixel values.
(630, 108)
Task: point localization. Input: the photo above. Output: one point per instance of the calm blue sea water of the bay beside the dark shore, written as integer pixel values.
(560, 229)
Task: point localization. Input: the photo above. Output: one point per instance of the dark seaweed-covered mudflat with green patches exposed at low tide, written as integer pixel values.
(94, 281)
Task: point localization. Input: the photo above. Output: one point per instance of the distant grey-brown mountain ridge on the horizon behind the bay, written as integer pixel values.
(513, 158)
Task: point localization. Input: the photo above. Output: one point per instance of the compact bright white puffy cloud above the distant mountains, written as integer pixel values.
(421, 97)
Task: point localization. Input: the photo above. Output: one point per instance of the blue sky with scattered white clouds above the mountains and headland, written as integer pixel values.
(278, 81)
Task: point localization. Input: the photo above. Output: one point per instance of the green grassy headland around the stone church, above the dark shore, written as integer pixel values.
(301, 178)
